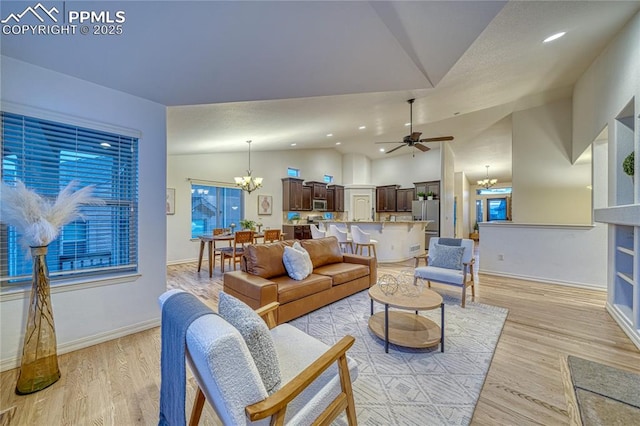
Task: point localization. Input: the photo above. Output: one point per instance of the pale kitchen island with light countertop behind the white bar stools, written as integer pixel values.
(397, 241)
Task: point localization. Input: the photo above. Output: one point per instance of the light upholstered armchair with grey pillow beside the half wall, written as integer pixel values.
(446, 265)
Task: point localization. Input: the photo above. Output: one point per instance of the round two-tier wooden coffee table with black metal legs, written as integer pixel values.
(404, 328)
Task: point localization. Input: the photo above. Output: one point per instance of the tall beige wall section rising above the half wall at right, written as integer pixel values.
(547, 187)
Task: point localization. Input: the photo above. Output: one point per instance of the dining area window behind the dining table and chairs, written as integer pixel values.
(214, 207)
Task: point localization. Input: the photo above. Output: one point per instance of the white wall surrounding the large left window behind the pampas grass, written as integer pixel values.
(86, 316)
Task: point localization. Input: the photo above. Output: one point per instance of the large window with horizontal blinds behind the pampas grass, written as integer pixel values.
(46, 156)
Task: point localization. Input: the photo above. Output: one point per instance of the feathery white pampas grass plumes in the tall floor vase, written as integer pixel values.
(40, 219)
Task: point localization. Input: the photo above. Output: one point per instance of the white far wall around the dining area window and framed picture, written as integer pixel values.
(222, 167)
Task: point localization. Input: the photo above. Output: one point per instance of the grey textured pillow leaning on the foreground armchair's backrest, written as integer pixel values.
(256, 336)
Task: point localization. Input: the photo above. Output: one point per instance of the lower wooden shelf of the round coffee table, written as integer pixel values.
(406, 329)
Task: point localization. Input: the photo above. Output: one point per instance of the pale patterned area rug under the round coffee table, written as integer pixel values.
(413, 386)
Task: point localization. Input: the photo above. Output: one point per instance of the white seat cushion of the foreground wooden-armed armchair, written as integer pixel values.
(296, 351)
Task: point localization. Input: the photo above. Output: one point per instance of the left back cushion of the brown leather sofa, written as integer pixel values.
(265, 260)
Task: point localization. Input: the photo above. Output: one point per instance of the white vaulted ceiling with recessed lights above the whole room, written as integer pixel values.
(291, 72)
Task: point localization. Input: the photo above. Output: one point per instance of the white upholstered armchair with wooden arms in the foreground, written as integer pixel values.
(313, 387)
